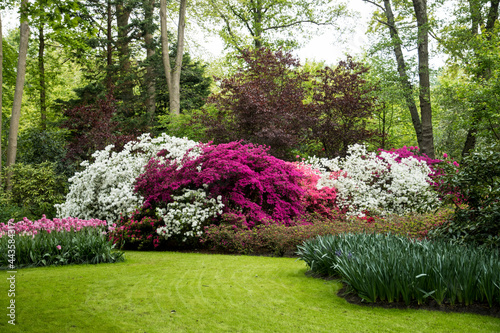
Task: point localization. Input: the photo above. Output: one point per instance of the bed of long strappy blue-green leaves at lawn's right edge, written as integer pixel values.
(373, 266)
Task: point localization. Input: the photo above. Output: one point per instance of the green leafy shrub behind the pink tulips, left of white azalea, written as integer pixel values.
(36, 188)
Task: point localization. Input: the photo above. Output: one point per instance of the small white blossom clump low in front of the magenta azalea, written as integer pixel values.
(188, 213)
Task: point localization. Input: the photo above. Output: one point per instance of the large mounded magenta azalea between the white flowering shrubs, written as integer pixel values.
(249, 181)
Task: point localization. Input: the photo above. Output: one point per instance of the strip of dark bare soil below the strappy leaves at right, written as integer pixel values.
(476, 308)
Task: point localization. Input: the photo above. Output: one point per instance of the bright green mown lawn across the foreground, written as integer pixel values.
(209, 293)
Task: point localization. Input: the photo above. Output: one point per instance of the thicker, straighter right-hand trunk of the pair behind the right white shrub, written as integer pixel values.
(427, 147)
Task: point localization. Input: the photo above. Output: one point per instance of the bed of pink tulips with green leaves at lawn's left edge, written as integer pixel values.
(55, 242)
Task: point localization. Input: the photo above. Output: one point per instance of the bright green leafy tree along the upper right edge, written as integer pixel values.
(471, 40)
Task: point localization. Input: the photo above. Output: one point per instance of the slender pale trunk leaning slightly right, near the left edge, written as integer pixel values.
(18, 94)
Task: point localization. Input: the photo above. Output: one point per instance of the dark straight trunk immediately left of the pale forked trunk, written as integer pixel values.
(150, 74)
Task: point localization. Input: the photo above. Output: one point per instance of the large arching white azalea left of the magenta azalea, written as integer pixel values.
(105, 188)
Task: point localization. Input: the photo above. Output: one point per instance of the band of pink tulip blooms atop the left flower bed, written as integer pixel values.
(31, 228)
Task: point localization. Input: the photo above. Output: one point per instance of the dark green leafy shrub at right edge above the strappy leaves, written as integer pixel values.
(478, 182)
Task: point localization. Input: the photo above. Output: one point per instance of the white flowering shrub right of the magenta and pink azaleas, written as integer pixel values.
(379, 185)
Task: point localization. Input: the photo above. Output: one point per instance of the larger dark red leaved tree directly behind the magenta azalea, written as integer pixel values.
(262, 103)
